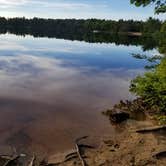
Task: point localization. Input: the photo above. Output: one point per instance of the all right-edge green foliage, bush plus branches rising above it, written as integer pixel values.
(151, 87)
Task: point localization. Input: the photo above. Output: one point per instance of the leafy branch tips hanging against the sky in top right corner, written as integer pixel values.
(160, 5)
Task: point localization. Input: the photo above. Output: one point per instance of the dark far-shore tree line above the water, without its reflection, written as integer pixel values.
(51, 26)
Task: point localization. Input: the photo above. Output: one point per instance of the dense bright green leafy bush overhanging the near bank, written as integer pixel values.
(152, 87)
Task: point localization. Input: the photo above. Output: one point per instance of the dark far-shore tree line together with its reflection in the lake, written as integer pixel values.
(90, 30)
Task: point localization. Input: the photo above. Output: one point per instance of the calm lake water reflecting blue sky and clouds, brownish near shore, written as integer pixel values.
(53, 91)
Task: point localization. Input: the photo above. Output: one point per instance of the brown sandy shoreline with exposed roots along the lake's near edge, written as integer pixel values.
(127, 147)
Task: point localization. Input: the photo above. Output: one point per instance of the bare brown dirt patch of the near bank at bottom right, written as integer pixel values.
(127, 148)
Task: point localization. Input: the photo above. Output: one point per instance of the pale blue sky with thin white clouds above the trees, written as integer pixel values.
(102, 9)
